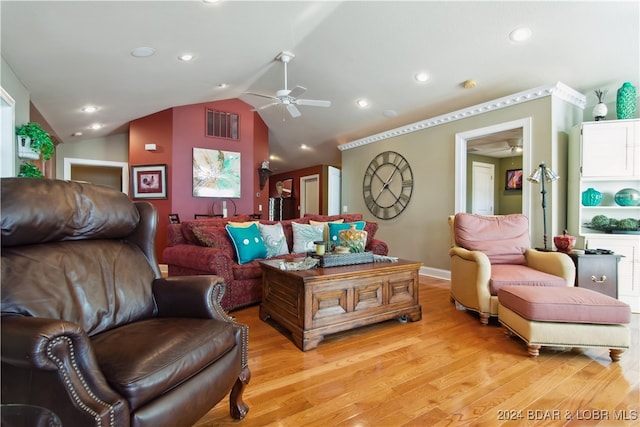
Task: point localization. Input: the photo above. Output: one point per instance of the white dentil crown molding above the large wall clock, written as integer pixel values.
(558, 89)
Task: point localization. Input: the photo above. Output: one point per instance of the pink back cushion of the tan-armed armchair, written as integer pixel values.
(503, 238)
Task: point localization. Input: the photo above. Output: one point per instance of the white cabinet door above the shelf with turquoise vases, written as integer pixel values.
(609, 150)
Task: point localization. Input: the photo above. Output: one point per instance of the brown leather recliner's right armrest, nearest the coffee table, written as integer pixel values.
(190, 296)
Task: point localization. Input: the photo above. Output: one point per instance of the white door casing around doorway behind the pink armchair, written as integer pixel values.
(462, 140)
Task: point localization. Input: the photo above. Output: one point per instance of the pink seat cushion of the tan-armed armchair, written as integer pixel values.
(520, 275)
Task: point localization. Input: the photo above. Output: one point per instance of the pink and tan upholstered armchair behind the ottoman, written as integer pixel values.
(488, 252)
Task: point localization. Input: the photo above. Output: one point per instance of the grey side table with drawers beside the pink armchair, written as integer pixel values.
(597, 272)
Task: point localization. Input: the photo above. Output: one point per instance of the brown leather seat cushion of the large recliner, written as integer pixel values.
(129, 357)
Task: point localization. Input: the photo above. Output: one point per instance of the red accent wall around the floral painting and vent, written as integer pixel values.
(176, 132)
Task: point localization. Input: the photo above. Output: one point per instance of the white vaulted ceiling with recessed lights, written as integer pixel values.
(70, 54)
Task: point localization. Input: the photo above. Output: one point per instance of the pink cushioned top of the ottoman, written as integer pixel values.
(564, 304)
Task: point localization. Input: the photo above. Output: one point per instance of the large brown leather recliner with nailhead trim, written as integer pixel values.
(91, 331)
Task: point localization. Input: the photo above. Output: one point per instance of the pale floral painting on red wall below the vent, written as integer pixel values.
(216, 173)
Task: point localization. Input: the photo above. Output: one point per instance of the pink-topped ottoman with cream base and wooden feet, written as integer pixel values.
(565, 317)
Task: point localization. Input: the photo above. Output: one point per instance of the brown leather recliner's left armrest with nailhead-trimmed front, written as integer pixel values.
(33, 345)
